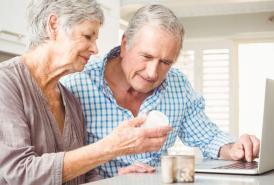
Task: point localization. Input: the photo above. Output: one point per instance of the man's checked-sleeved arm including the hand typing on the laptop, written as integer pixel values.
(198, 130)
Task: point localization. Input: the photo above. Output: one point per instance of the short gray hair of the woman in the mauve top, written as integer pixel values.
(68, 12)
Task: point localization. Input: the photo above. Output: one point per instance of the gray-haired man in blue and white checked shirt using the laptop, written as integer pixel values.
(137, 77)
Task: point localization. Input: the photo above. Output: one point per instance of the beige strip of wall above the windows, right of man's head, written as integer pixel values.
(228, 26)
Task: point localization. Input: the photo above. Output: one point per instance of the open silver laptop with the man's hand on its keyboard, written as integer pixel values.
(265, 162)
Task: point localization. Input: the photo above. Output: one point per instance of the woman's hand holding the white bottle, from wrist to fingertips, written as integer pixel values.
(130, 138)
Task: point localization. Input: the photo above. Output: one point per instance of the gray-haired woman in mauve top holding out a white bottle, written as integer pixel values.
(41, 123)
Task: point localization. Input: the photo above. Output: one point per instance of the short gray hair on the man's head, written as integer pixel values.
(156, 15)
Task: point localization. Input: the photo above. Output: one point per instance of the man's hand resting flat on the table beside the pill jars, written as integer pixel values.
(136, 168)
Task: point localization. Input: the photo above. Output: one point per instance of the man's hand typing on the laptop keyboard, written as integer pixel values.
(245, 148)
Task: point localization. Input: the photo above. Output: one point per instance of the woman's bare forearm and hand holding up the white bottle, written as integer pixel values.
(128, 138)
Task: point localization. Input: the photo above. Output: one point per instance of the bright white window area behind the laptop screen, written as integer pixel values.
(256, 63)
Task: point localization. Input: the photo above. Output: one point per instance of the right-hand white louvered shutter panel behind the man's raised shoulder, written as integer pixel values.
(216, 85)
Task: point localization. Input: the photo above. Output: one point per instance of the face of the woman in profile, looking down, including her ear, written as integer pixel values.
(73, 49)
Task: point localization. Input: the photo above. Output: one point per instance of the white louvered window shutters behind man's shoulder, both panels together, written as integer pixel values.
(215, 81)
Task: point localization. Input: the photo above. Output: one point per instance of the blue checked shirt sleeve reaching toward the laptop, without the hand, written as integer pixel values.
(195, 128)
